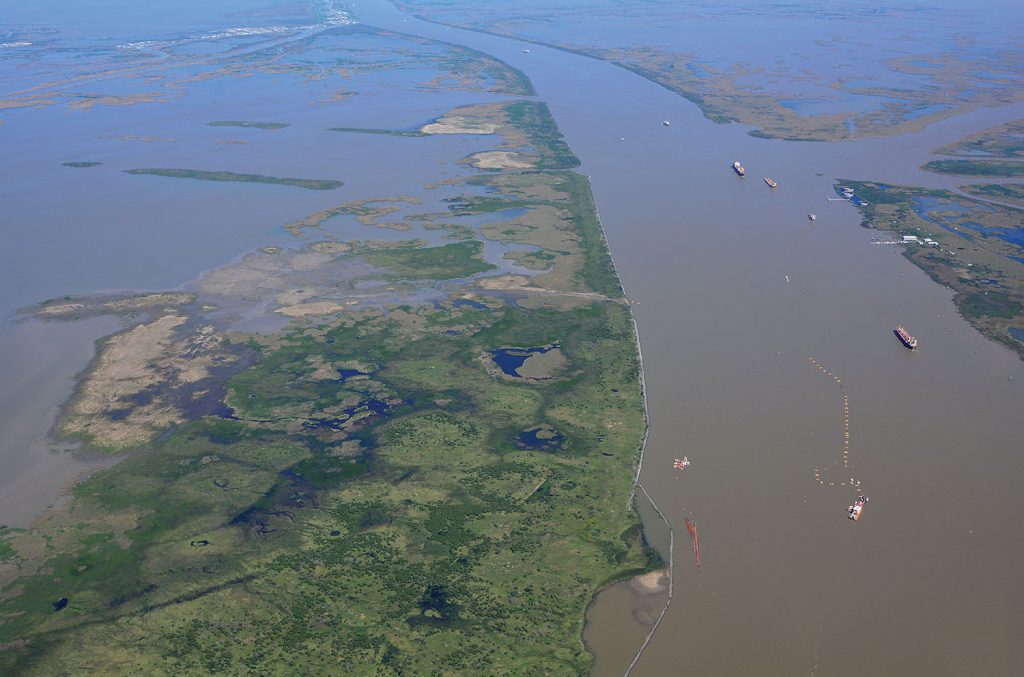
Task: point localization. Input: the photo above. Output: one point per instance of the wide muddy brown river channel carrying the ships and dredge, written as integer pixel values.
(736, 289)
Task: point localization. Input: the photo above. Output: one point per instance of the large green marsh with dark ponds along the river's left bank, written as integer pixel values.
(364, 503)
